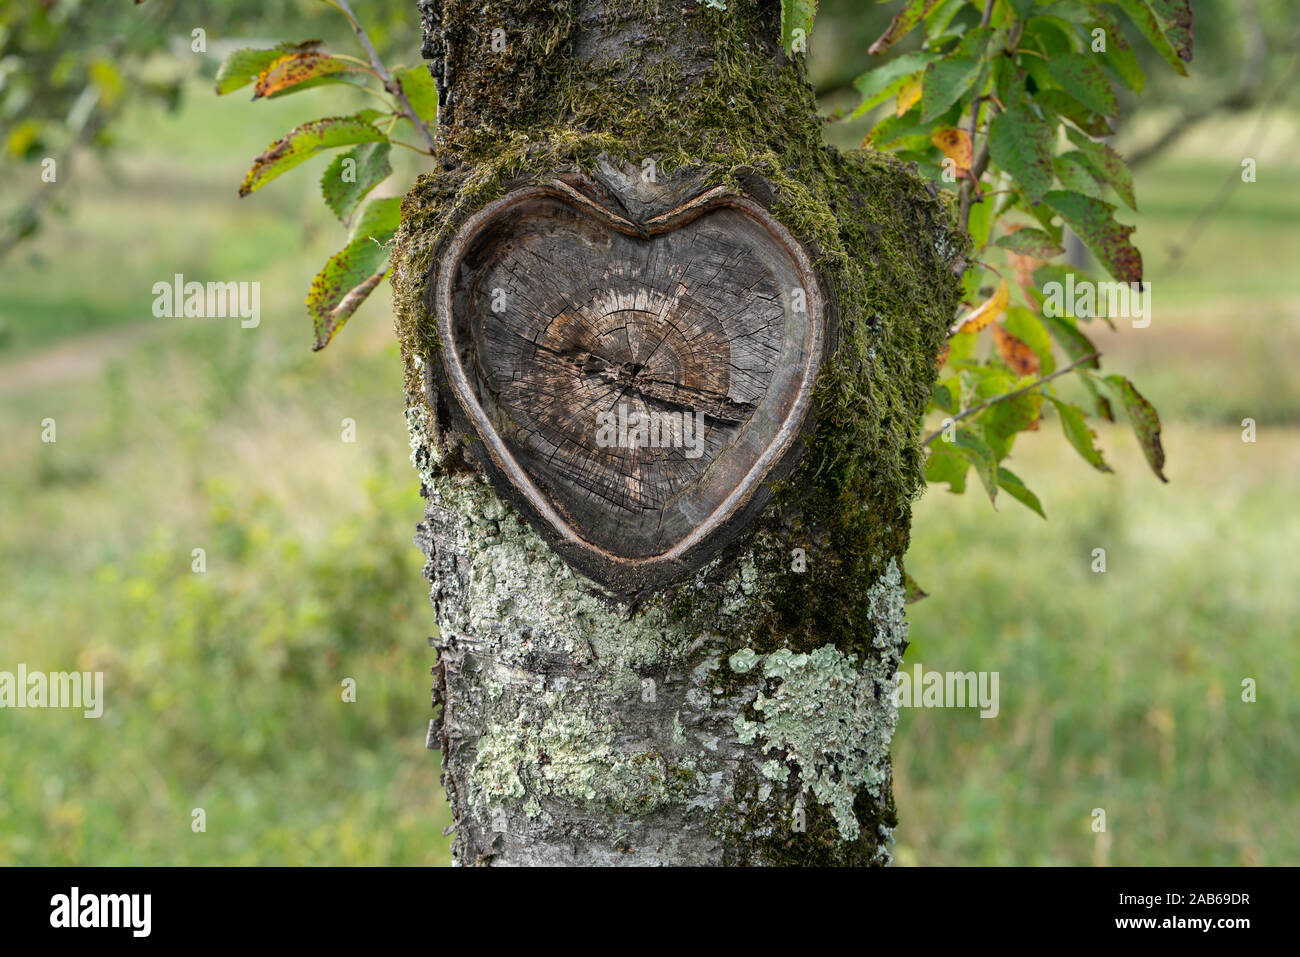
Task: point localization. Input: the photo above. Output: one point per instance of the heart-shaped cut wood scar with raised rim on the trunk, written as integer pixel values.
(634, 384)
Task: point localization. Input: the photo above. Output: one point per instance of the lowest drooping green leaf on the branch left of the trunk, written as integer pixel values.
(353, 274)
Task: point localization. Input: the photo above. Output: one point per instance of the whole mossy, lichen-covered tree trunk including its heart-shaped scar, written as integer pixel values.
(648, 656)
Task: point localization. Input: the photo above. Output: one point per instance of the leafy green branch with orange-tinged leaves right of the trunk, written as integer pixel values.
(1011, 103)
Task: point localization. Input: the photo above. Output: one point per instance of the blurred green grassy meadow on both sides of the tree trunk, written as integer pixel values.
(1119, 691)
